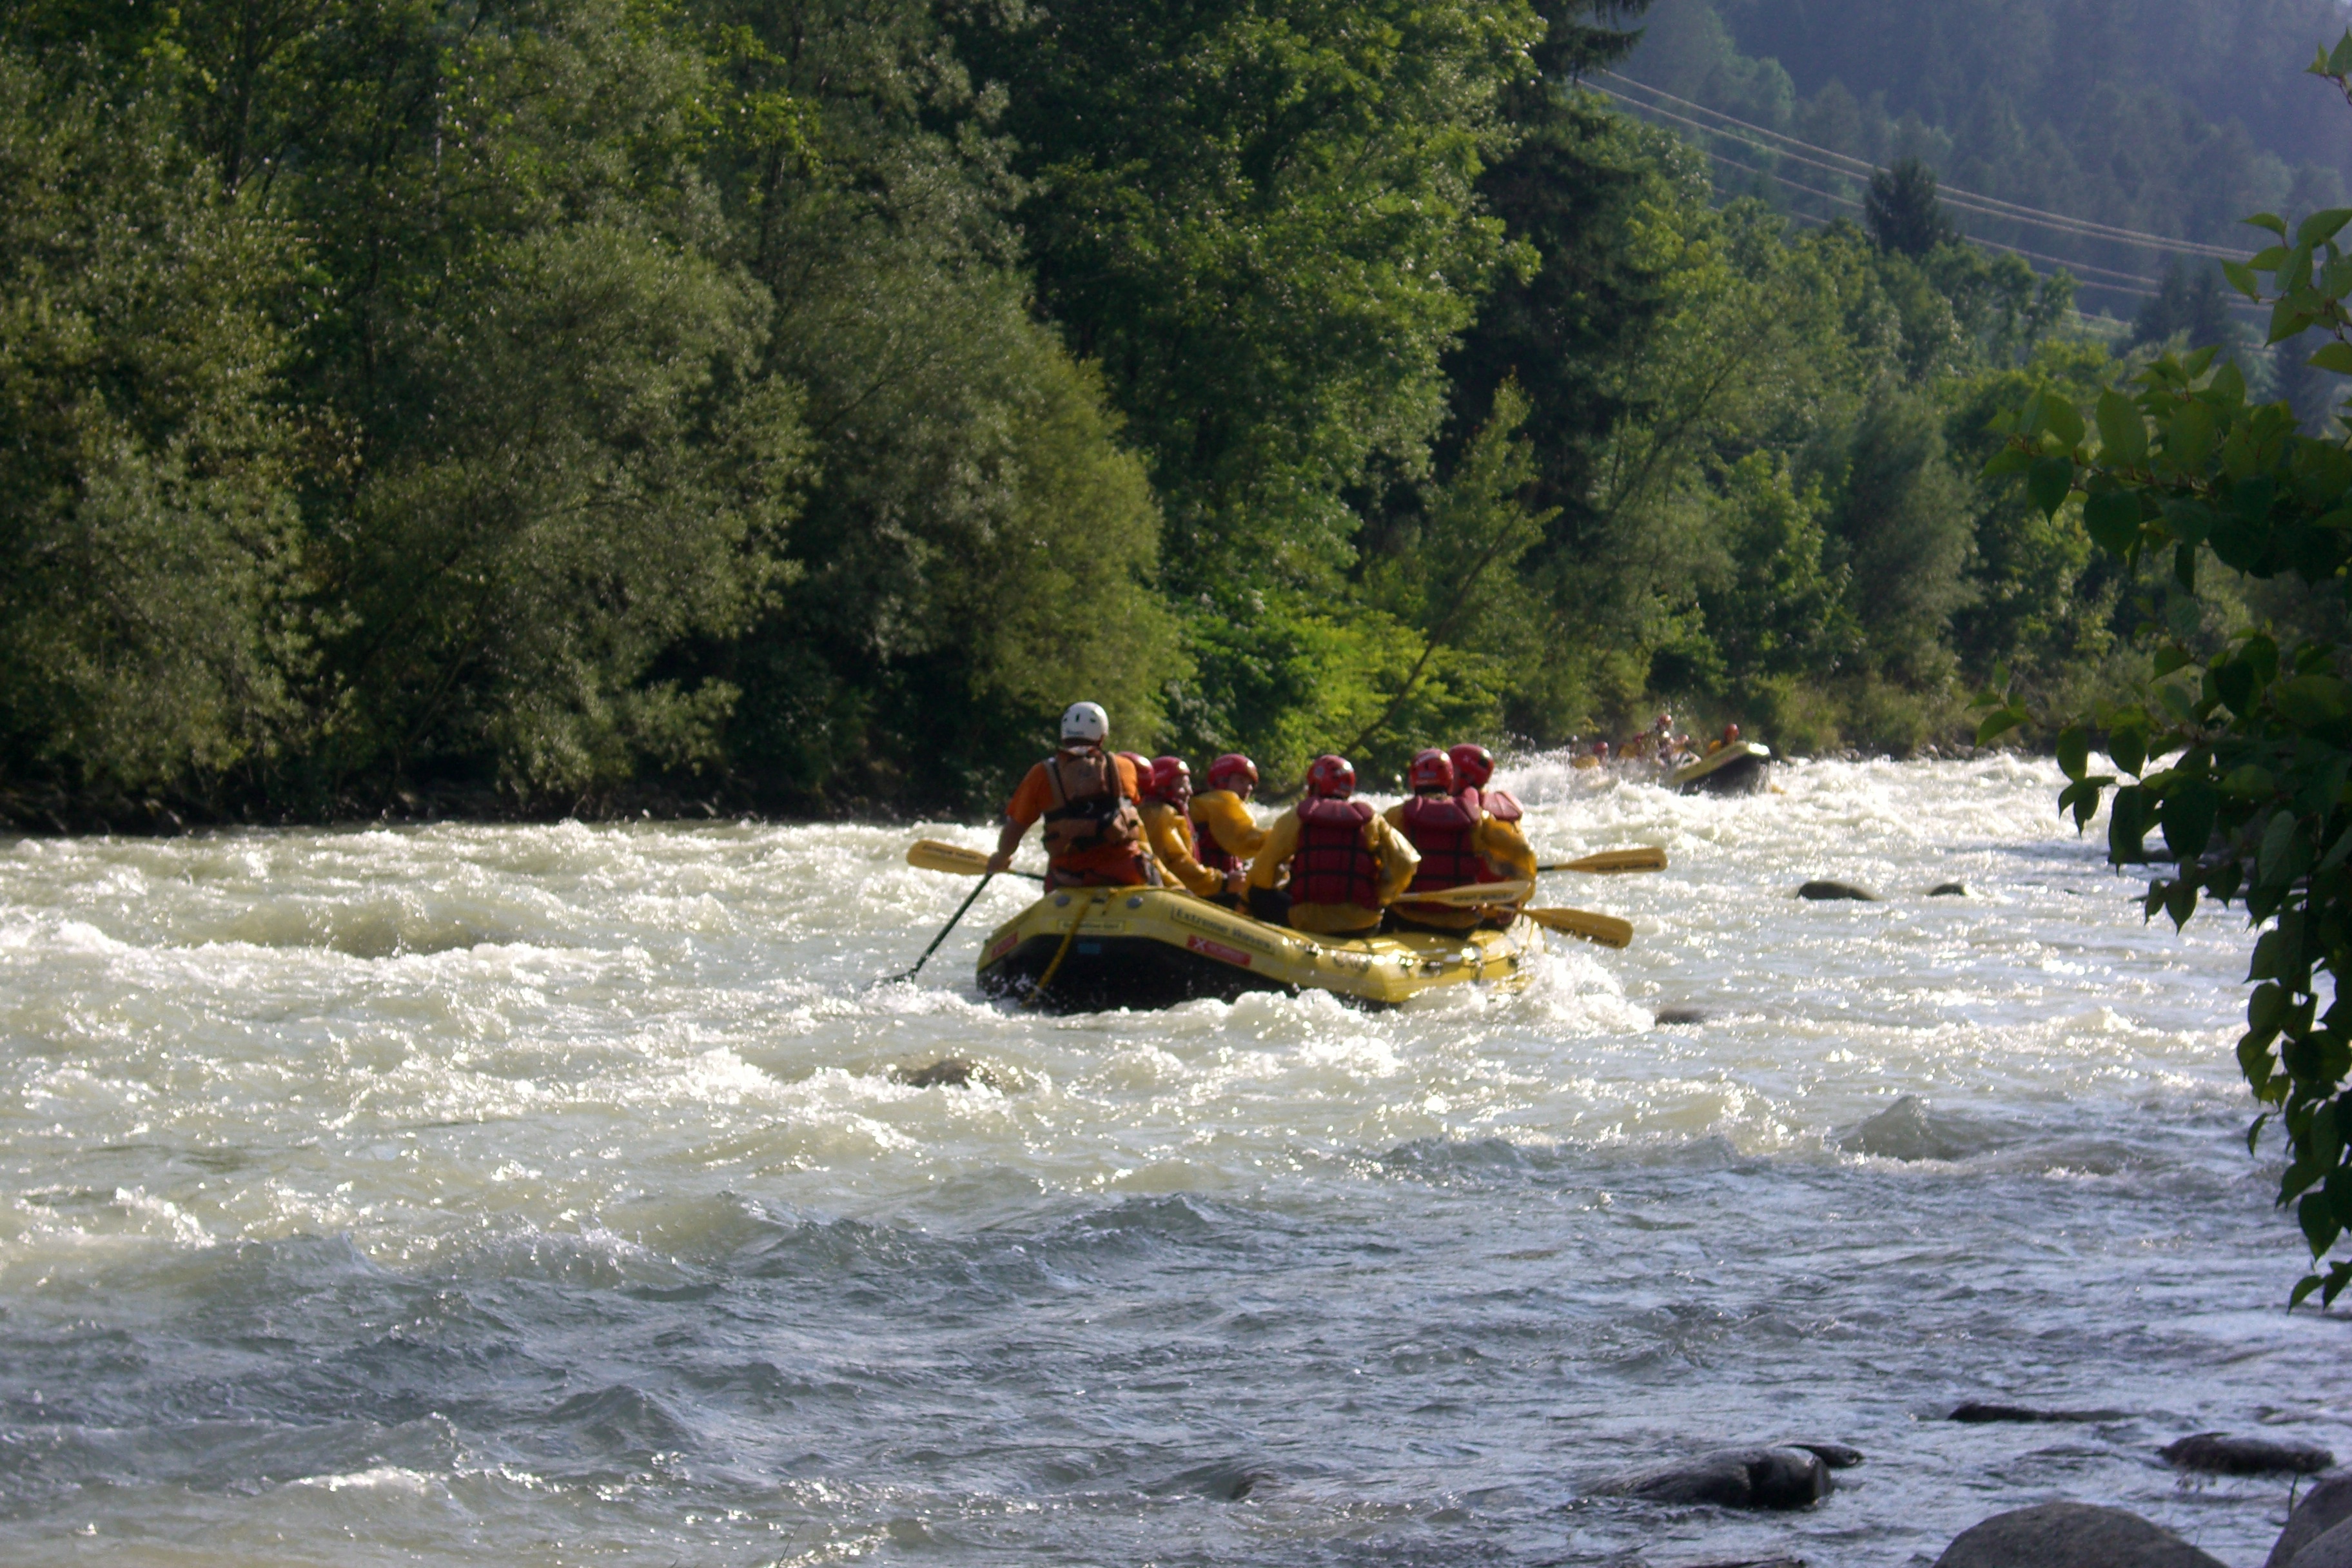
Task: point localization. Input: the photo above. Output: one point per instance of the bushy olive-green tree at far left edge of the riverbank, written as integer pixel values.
(149, 542)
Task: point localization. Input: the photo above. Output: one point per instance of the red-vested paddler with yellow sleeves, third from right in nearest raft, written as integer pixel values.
(1344, 859)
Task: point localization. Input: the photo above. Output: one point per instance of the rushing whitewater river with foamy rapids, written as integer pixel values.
(542, 1195)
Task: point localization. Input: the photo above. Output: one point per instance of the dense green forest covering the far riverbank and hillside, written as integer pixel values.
(582, 406)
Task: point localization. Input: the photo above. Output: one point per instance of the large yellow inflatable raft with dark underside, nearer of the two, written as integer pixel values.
(1104, 949)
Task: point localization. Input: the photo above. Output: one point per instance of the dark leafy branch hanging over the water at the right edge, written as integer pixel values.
(2240, 756)
